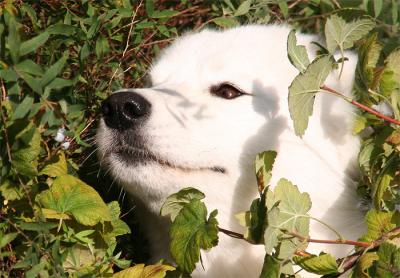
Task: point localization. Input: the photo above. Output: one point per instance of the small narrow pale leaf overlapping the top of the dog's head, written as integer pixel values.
(297, 53)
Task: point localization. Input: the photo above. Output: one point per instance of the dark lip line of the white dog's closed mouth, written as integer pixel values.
(142, 155)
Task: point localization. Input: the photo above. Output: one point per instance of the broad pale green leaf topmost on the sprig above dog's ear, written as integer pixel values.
(340, 34)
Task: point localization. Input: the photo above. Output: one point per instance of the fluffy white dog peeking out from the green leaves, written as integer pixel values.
(217, 99)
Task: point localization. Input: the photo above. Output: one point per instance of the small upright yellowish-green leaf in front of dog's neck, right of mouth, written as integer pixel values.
(263, 166)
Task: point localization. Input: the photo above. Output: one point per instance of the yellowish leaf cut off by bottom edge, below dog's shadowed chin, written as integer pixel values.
(142, 271)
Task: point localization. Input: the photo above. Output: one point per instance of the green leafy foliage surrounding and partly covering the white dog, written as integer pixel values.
(60, 59)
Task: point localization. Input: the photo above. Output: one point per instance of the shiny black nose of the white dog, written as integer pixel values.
(121, 110)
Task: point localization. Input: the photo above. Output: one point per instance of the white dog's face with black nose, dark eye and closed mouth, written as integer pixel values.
(201, 121)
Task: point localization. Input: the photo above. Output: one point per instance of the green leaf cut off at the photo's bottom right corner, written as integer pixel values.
(389, 259)
